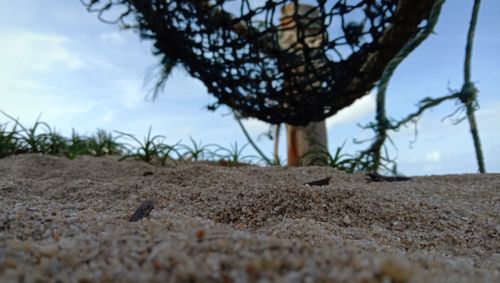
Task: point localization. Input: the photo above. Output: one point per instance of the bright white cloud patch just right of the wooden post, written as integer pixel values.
(358, 110)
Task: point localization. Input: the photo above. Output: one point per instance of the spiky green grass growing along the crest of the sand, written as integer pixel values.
(15, 138)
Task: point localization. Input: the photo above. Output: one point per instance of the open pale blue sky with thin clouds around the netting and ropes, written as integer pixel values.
(57, 61)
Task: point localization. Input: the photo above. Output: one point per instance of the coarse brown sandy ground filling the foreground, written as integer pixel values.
(67, 221)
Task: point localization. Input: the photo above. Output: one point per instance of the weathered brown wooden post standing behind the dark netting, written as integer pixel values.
(310, 139)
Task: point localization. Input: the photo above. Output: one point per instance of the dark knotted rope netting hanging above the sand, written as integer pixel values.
(278, 61)
